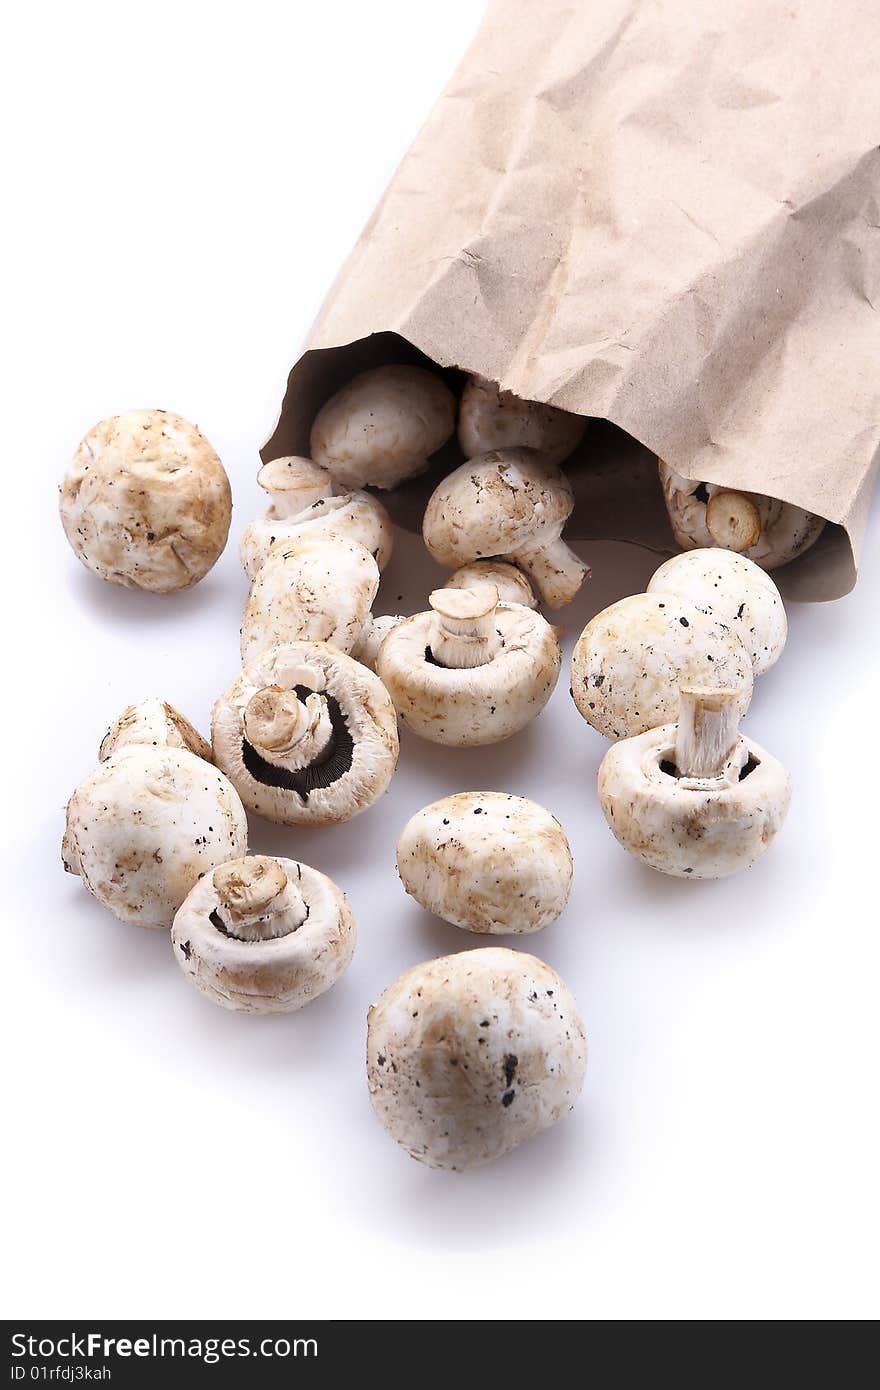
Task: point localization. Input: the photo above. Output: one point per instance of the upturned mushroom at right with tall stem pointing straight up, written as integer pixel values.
(694, 800)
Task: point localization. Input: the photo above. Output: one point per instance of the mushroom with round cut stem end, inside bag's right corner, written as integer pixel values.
(768, 532)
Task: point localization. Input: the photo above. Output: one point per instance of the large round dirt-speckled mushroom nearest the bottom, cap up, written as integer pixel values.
(473, 1054)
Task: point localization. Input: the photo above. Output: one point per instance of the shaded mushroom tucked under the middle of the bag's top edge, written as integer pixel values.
(496, 419)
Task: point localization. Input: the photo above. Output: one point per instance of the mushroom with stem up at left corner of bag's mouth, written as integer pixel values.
(305, 507)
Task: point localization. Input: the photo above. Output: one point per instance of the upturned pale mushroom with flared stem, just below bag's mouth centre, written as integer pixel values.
(472, 671)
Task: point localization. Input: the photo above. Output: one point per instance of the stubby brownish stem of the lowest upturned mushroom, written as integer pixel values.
(258, 901)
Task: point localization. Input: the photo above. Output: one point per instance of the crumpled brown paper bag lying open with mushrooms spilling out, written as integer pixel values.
(660, 213)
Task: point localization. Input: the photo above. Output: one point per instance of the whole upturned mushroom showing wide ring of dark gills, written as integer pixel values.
(307, 735)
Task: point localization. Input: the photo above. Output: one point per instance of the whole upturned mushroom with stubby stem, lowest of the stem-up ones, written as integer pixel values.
(263, 936)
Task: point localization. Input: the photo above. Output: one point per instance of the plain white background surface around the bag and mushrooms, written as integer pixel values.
(183, 186)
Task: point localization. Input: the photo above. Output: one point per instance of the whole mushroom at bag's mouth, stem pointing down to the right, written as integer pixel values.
(508, 504)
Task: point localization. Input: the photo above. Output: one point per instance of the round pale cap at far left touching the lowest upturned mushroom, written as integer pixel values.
(147, 825)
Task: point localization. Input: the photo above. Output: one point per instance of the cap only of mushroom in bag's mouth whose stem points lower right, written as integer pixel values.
(494, 505)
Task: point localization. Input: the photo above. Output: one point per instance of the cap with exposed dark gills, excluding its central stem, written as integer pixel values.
(364, 755)
